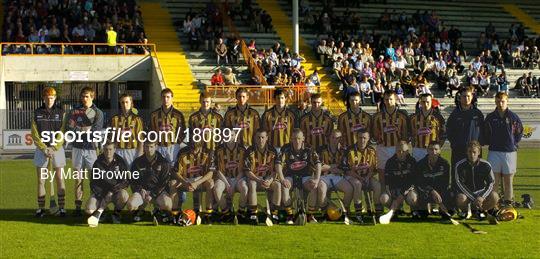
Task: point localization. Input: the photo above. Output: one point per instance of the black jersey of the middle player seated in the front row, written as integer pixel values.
(301, 162)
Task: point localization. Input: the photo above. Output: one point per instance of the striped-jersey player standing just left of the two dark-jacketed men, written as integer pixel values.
(427, 125)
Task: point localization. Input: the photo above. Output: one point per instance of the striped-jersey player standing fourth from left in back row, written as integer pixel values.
(167, 119)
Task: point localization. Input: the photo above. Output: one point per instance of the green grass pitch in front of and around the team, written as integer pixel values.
(22, 235)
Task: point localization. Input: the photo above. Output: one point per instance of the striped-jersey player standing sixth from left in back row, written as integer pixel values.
(244, 117)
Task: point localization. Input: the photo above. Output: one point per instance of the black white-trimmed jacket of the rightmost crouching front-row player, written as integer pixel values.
(474, 180)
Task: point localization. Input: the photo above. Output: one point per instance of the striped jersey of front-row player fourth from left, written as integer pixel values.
(230, 161)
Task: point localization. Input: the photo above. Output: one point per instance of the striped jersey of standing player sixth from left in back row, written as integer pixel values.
(247, 120)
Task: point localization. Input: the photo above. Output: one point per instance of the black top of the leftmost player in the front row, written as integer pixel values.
(101, 186)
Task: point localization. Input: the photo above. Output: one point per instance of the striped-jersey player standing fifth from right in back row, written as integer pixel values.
(353, 120)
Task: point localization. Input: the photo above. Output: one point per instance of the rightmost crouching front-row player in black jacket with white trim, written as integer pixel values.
(475, 180)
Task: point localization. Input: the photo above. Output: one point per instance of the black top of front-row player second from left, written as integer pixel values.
(154, 176)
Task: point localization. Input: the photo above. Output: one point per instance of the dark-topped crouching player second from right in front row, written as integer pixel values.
(433, 183)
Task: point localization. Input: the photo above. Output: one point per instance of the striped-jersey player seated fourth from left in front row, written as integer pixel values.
(230, 177)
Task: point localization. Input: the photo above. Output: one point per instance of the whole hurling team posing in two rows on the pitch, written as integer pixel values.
(289, 165)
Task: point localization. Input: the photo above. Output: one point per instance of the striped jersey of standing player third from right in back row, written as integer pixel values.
(425, 128)
